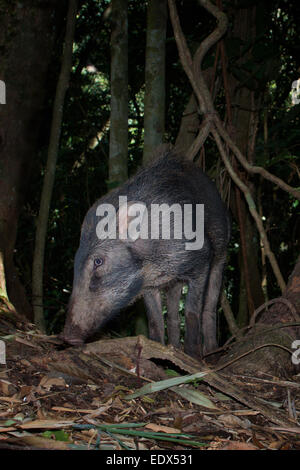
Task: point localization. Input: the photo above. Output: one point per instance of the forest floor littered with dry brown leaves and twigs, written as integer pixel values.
(128, 393)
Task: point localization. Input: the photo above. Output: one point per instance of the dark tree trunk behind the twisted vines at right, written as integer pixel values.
(243, 101)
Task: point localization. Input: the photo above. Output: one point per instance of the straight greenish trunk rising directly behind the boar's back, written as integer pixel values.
(154, 113)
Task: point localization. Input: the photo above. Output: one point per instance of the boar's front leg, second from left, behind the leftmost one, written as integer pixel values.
(173, 294)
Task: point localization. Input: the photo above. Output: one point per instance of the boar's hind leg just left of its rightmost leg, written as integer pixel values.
(193, 309)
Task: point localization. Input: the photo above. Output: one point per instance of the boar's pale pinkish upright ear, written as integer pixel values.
(132, 220)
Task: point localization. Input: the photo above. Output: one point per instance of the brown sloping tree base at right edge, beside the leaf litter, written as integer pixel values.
(269, 340)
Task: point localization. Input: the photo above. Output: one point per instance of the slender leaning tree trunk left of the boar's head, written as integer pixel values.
(42, 222)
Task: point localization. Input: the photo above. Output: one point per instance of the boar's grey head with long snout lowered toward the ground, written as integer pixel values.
(108, 275)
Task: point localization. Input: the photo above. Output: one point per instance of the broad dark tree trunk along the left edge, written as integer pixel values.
(26, 40)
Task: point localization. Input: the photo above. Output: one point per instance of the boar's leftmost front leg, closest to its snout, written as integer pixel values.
(156, 326)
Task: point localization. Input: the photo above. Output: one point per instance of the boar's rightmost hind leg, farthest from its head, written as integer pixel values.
(209, 315)
